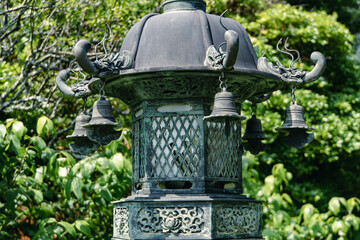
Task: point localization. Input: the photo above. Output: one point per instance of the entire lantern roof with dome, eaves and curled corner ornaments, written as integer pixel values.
(180, 54)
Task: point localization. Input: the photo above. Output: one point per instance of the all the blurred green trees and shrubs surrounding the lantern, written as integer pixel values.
(46, 193)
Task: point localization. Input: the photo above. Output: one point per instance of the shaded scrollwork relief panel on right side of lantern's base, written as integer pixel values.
(238, 220)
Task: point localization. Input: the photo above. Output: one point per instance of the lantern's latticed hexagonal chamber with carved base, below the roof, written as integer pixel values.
(187, 177)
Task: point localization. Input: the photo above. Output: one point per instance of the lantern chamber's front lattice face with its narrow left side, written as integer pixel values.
(168, 146)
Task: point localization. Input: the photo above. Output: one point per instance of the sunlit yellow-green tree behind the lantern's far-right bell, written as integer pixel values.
(331, 104)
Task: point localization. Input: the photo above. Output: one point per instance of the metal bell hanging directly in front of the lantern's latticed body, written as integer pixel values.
(224, 108)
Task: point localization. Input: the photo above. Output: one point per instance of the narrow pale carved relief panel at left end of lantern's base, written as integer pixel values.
(121, 225)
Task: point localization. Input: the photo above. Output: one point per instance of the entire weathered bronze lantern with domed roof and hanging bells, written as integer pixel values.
(187, 159)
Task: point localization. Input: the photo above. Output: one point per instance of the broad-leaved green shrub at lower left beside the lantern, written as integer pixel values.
(46, 194)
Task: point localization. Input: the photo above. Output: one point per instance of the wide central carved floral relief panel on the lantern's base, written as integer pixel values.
(171, 220)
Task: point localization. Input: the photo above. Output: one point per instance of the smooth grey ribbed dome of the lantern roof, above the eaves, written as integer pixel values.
(180, 37)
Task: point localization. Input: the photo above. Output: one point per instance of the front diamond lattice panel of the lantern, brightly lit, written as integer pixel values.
(175, 146)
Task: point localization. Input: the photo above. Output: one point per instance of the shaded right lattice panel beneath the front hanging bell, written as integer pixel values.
(223, 149)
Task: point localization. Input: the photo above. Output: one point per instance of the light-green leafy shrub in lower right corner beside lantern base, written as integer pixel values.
(284, 220)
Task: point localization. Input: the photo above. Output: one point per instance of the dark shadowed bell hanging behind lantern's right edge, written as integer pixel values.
(253, 136)
